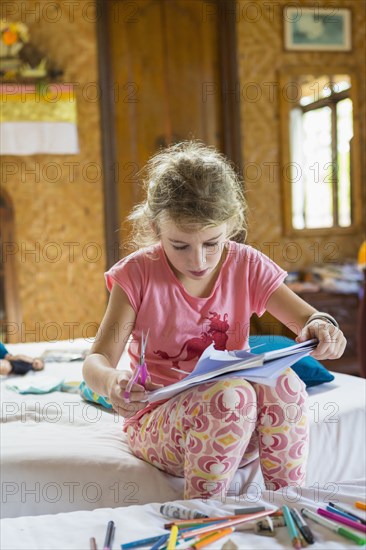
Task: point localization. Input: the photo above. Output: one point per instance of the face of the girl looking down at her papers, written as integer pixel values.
(193, 255)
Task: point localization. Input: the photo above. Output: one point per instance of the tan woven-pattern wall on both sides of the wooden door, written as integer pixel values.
(68, 296)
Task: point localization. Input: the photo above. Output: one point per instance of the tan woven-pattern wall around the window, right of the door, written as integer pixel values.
(260, 57)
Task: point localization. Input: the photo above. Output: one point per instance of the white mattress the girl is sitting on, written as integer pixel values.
(60, 454)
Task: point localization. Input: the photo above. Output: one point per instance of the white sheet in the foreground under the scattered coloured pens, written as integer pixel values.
(74, 530)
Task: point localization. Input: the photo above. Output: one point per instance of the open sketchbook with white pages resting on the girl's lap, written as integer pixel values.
(263, 368)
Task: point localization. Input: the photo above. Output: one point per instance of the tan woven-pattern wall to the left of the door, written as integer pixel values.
(59, 211)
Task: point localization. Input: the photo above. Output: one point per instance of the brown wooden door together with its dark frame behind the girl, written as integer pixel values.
(166, 71)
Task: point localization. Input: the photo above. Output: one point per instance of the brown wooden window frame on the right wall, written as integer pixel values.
(286, 77)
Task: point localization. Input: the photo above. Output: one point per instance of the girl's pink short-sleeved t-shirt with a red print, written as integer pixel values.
(181, 325)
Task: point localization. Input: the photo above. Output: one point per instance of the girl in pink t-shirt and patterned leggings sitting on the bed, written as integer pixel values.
(192, 285)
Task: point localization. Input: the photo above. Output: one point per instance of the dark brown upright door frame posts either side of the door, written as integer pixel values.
(230, 109)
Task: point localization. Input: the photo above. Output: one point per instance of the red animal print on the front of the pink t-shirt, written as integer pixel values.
(194, 347)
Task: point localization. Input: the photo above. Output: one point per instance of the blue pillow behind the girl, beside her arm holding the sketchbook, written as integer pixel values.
(308, 369)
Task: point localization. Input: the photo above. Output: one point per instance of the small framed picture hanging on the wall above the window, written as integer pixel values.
(317, 29)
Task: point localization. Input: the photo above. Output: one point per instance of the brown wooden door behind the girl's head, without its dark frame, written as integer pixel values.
(165, 57)
